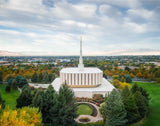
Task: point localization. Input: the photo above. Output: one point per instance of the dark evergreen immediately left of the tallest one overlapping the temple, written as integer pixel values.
(49, 101)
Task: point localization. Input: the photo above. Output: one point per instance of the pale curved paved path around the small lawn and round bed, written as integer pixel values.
(92, 118)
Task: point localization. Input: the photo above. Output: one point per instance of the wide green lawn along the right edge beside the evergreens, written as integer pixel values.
(153, 118)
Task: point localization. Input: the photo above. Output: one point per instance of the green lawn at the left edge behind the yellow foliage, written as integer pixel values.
(10, 98)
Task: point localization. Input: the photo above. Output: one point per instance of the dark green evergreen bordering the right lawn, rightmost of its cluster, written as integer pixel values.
(141, 103)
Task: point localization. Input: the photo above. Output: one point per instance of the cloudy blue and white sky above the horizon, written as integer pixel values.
(54, 27)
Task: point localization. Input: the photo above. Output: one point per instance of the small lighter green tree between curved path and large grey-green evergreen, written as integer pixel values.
(103, 111)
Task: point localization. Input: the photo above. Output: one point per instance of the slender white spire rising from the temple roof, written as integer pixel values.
(81, 65)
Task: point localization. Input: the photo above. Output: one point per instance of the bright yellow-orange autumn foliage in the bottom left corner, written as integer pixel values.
(21, 117)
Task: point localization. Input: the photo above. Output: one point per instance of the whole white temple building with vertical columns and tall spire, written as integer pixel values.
(84, 81)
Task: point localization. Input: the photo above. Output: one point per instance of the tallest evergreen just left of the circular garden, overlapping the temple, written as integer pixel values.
(67, 108)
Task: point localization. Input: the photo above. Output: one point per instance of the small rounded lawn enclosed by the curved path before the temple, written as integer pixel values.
(84, 109)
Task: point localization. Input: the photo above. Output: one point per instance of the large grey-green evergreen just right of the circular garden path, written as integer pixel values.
(115, 110)
